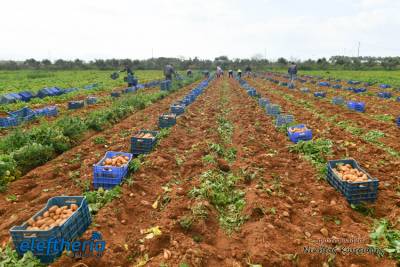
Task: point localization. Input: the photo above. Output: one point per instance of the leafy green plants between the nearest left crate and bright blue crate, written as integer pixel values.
(98, 199)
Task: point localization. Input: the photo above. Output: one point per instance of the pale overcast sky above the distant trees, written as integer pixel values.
(89, 29)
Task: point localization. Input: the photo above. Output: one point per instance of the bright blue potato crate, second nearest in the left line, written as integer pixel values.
(108, 177)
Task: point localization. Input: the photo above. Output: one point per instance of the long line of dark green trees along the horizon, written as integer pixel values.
(256, 63)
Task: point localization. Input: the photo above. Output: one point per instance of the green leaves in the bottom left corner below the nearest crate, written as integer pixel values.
(10, 258)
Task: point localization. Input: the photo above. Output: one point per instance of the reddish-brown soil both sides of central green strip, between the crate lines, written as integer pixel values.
(302, 204)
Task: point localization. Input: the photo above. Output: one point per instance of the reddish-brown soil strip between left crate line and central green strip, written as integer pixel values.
(188, 142)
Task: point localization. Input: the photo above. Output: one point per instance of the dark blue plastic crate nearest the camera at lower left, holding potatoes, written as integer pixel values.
(72, 229)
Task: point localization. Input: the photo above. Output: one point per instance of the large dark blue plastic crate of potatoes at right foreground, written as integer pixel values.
(356, 192)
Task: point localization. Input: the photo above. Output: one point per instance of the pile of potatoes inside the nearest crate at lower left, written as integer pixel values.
(54, 216)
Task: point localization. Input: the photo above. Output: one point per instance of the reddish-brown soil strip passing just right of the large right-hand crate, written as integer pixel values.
(376, 161)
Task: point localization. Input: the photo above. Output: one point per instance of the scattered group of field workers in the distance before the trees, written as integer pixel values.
(169, 71)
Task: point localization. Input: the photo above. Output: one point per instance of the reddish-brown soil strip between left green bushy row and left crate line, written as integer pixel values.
(66, 174)
